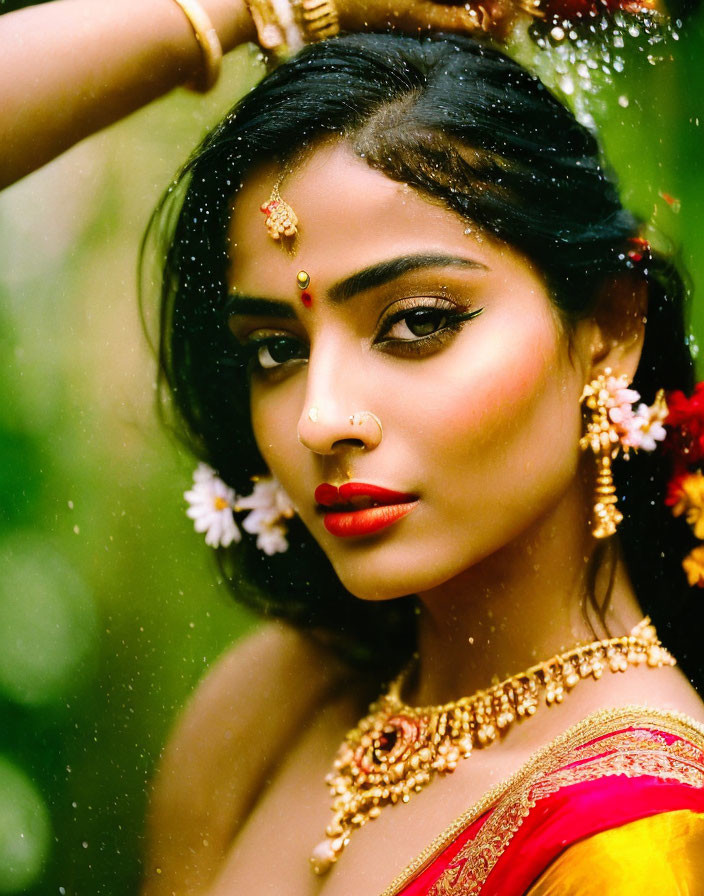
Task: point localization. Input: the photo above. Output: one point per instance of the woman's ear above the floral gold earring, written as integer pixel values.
(612, 336)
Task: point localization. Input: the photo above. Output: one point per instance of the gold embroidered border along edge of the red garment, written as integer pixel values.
(549, 760)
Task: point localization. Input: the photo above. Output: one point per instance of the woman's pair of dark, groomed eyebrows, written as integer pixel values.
(342, 291)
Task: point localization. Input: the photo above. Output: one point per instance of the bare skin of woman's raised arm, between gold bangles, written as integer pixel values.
(70, 67)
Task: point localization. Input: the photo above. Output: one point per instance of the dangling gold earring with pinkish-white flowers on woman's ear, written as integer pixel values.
(615, 426)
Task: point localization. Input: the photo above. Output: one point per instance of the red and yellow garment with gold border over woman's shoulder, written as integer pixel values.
(614, 805)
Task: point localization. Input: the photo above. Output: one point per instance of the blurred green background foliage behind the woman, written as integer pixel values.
(110, 605)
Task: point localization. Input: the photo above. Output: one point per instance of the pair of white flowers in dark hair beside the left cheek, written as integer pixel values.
(213, 504)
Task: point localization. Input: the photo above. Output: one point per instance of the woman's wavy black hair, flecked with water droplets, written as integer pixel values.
(466, 125)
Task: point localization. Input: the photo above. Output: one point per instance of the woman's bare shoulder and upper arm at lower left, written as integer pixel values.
(237, 727)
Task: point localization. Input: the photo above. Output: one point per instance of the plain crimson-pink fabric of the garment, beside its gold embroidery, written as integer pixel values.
(574, 812)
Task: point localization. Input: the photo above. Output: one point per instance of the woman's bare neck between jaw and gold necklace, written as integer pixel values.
(519, 606)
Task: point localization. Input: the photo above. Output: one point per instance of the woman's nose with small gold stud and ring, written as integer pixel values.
(335, 414)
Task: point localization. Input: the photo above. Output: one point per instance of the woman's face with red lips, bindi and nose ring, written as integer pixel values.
(479, 415)
